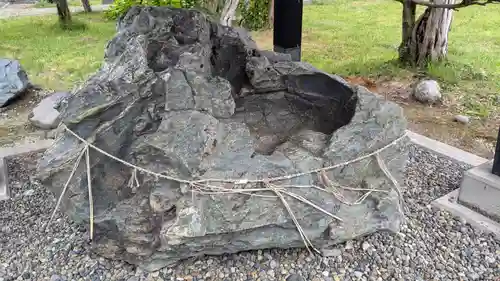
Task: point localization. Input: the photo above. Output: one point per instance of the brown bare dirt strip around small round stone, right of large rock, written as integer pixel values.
(437, 121)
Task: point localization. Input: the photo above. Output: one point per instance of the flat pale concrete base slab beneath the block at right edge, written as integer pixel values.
(449, 203)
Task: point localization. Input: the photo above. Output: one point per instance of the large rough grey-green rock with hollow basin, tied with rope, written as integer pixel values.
(191, 99)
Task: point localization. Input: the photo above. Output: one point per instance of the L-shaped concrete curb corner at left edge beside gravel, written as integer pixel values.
(6, 152)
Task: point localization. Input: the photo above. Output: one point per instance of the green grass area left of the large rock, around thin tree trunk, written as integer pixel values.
(55, 58)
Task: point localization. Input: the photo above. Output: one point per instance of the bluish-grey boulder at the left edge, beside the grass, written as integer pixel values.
(13, 81)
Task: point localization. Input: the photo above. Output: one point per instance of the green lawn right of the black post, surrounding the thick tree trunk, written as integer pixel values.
(360, 37)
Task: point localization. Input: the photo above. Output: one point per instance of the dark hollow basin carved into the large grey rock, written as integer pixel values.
(311, 102)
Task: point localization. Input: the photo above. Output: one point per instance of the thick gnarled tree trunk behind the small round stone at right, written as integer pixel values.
(428, 40)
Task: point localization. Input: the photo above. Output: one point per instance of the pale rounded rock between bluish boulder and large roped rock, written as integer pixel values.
(45, 115)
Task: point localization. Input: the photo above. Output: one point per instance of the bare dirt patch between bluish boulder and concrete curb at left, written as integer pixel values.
(15, 127)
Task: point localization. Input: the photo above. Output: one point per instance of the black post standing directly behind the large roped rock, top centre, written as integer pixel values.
(287, 33)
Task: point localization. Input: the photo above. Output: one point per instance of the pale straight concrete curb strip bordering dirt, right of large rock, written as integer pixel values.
(446, 150)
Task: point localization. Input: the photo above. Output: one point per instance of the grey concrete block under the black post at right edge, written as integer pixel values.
(480, 190)
